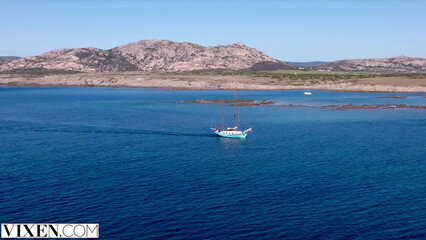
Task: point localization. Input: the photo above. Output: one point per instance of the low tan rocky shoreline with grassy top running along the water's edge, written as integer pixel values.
(214, 82)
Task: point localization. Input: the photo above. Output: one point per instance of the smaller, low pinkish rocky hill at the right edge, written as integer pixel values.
(401, 64)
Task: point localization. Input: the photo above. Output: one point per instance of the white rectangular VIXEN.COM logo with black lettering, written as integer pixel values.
(50, 230)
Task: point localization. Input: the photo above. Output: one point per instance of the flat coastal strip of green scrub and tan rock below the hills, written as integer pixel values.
(221, 79)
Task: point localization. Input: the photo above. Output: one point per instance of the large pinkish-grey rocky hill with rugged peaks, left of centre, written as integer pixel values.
(145, 55)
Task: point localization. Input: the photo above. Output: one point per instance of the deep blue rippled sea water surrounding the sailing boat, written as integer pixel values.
(146, 167)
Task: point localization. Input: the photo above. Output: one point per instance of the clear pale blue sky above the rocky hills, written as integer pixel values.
(285, 30)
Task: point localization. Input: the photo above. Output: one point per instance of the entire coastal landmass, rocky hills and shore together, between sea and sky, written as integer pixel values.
(184, 65)
